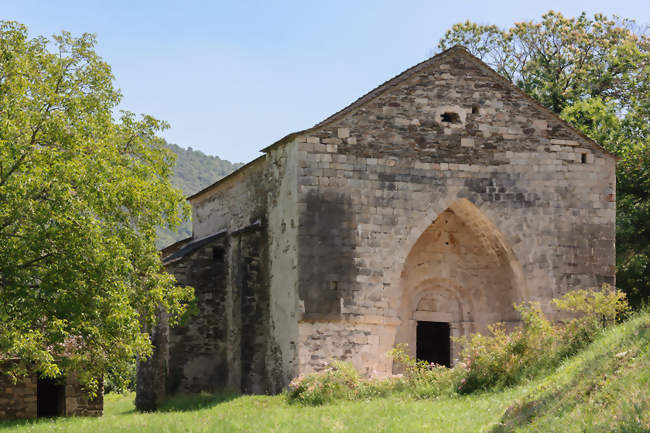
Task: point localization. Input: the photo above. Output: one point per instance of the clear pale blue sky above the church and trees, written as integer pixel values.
(233, 77)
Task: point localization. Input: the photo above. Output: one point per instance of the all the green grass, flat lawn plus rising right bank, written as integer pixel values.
(604, 389)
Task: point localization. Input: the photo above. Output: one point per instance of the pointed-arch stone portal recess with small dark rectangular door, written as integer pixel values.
(459, 276)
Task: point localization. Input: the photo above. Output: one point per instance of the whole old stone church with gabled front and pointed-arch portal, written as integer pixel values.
(423, 210)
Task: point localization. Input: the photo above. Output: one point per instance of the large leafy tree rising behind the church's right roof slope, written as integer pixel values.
(594, 73)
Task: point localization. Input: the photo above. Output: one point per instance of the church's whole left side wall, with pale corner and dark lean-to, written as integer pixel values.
(243, 335)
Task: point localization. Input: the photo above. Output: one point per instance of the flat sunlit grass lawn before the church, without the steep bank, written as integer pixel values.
(272, 414)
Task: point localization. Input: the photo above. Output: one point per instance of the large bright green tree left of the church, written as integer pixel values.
(81, 196)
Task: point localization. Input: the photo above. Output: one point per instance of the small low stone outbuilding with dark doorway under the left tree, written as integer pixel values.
(35, 397)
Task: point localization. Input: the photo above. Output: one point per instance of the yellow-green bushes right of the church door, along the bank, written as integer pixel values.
(501, 359)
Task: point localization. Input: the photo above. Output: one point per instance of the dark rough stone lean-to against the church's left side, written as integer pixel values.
(225, 344)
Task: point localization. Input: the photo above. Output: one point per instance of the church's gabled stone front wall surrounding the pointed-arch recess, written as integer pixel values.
(372, 181)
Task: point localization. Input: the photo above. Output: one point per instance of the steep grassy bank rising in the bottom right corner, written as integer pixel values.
(606, 388)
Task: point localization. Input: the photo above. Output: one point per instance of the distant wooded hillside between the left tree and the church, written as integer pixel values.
(194, 171)
